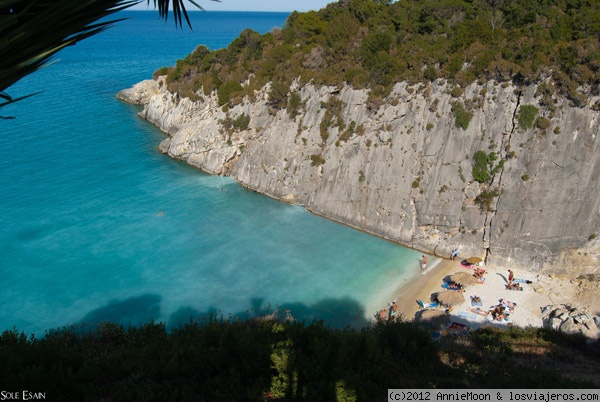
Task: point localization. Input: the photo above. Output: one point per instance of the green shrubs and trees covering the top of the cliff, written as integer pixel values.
(374, 44)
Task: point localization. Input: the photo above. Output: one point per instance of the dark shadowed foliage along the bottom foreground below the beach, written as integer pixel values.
(263, 359)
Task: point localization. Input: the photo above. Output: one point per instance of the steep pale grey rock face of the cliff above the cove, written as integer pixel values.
(403, 170)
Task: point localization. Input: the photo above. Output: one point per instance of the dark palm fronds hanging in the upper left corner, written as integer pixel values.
(33, 31)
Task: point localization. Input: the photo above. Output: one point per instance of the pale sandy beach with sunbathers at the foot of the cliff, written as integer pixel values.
(543, 290)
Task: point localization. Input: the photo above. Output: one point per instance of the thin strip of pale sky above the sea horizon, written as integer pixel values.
(249, 5)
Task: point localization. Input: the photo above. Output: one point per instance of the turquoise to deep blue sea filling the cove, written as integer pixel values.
(97, 225)
